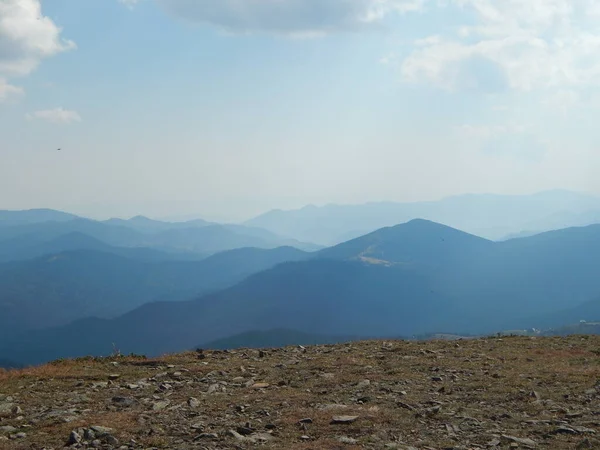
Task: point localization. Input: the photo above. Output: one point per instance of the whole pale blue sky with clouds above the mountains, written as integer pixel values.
(224, 109)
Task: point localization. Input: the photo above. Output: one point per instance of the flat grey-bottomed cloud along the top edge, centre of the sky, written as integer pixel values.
(289, 17)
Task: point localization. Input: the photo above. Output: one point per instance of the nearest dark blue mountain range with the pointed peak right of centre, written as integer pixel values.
(411, 279)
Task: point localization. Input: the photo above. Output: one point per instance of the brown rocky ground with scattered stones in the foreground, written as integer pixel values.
(470, 394)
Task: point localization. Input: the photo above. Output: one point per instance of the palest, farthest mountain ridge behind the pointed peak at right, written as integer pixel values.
(486, 215)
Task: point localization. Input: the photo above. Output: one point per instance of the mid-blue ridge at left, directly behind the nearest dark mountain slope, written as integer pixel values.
(56, 289)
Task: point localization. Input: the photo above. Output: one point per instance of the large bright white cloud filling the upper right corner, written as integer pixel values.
(524, 45)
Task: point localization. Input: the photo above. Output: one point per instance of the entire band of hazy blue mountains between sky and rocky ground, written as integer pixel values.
(151, 287)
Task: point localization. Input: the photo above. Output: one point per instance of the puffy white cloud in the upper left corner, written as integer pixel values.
(27, 37)
